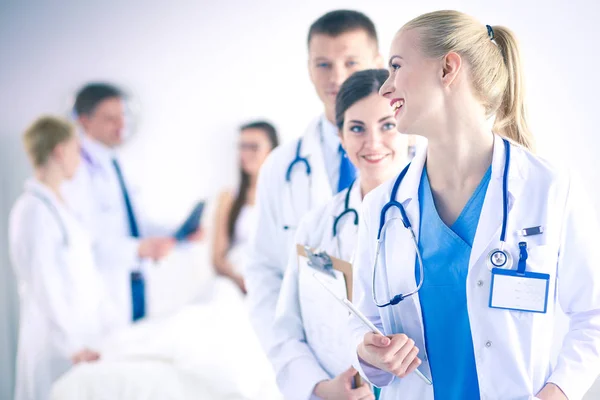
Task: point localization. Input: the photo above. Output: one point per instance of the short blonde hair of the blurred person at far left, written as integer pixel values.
(42, 137)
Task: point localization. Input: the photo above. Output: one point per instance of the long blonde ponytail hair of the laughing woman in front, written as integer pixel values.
(495, 65)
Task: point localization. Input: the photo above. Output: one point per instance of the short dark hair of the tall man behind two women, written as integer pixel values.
(337, 22)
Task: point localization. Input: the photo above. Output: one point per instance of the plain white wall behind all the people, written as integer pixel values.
(200, 68)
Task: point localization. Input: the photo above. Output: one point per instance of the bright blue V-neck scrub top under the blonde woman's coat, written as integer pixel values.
(443, 296)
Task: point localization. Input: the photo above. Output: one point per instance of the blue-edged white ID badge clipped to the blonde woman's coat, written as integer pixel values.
(520, 291)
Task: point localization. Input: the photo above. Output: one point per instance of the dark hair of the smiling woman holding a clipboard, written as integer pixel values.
(360, 85)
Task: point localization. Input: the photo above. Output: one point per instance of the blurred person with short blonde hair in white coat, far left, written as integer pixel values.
(65, 311)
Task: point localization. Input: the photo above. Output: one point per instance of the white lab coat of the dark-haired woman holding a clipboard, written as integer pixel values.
(307, 355)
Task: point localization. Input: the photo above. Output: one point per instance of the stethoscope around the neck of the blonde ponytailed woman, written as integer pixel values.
(497, 258)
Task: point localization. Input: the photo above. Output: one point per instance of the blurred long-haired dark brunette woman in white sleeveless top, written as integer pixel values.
(236, 214)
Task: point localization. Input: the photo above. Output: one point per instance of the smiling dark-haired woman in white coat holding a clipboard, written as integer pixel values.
(308, 364)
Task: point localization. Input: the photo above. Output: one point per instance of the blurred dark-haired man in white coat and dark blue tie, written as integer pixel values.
(101, 198)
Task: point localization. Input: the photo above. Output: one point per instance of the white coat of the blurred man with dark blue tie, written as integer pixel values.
(95, 196)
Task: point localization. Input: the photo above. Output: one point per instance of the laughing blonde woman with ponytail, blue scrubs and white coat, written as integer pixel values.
(464, 272)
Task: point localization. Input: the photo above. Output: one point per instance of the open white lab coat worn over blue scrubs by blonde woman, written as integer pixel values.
(512, 348)
